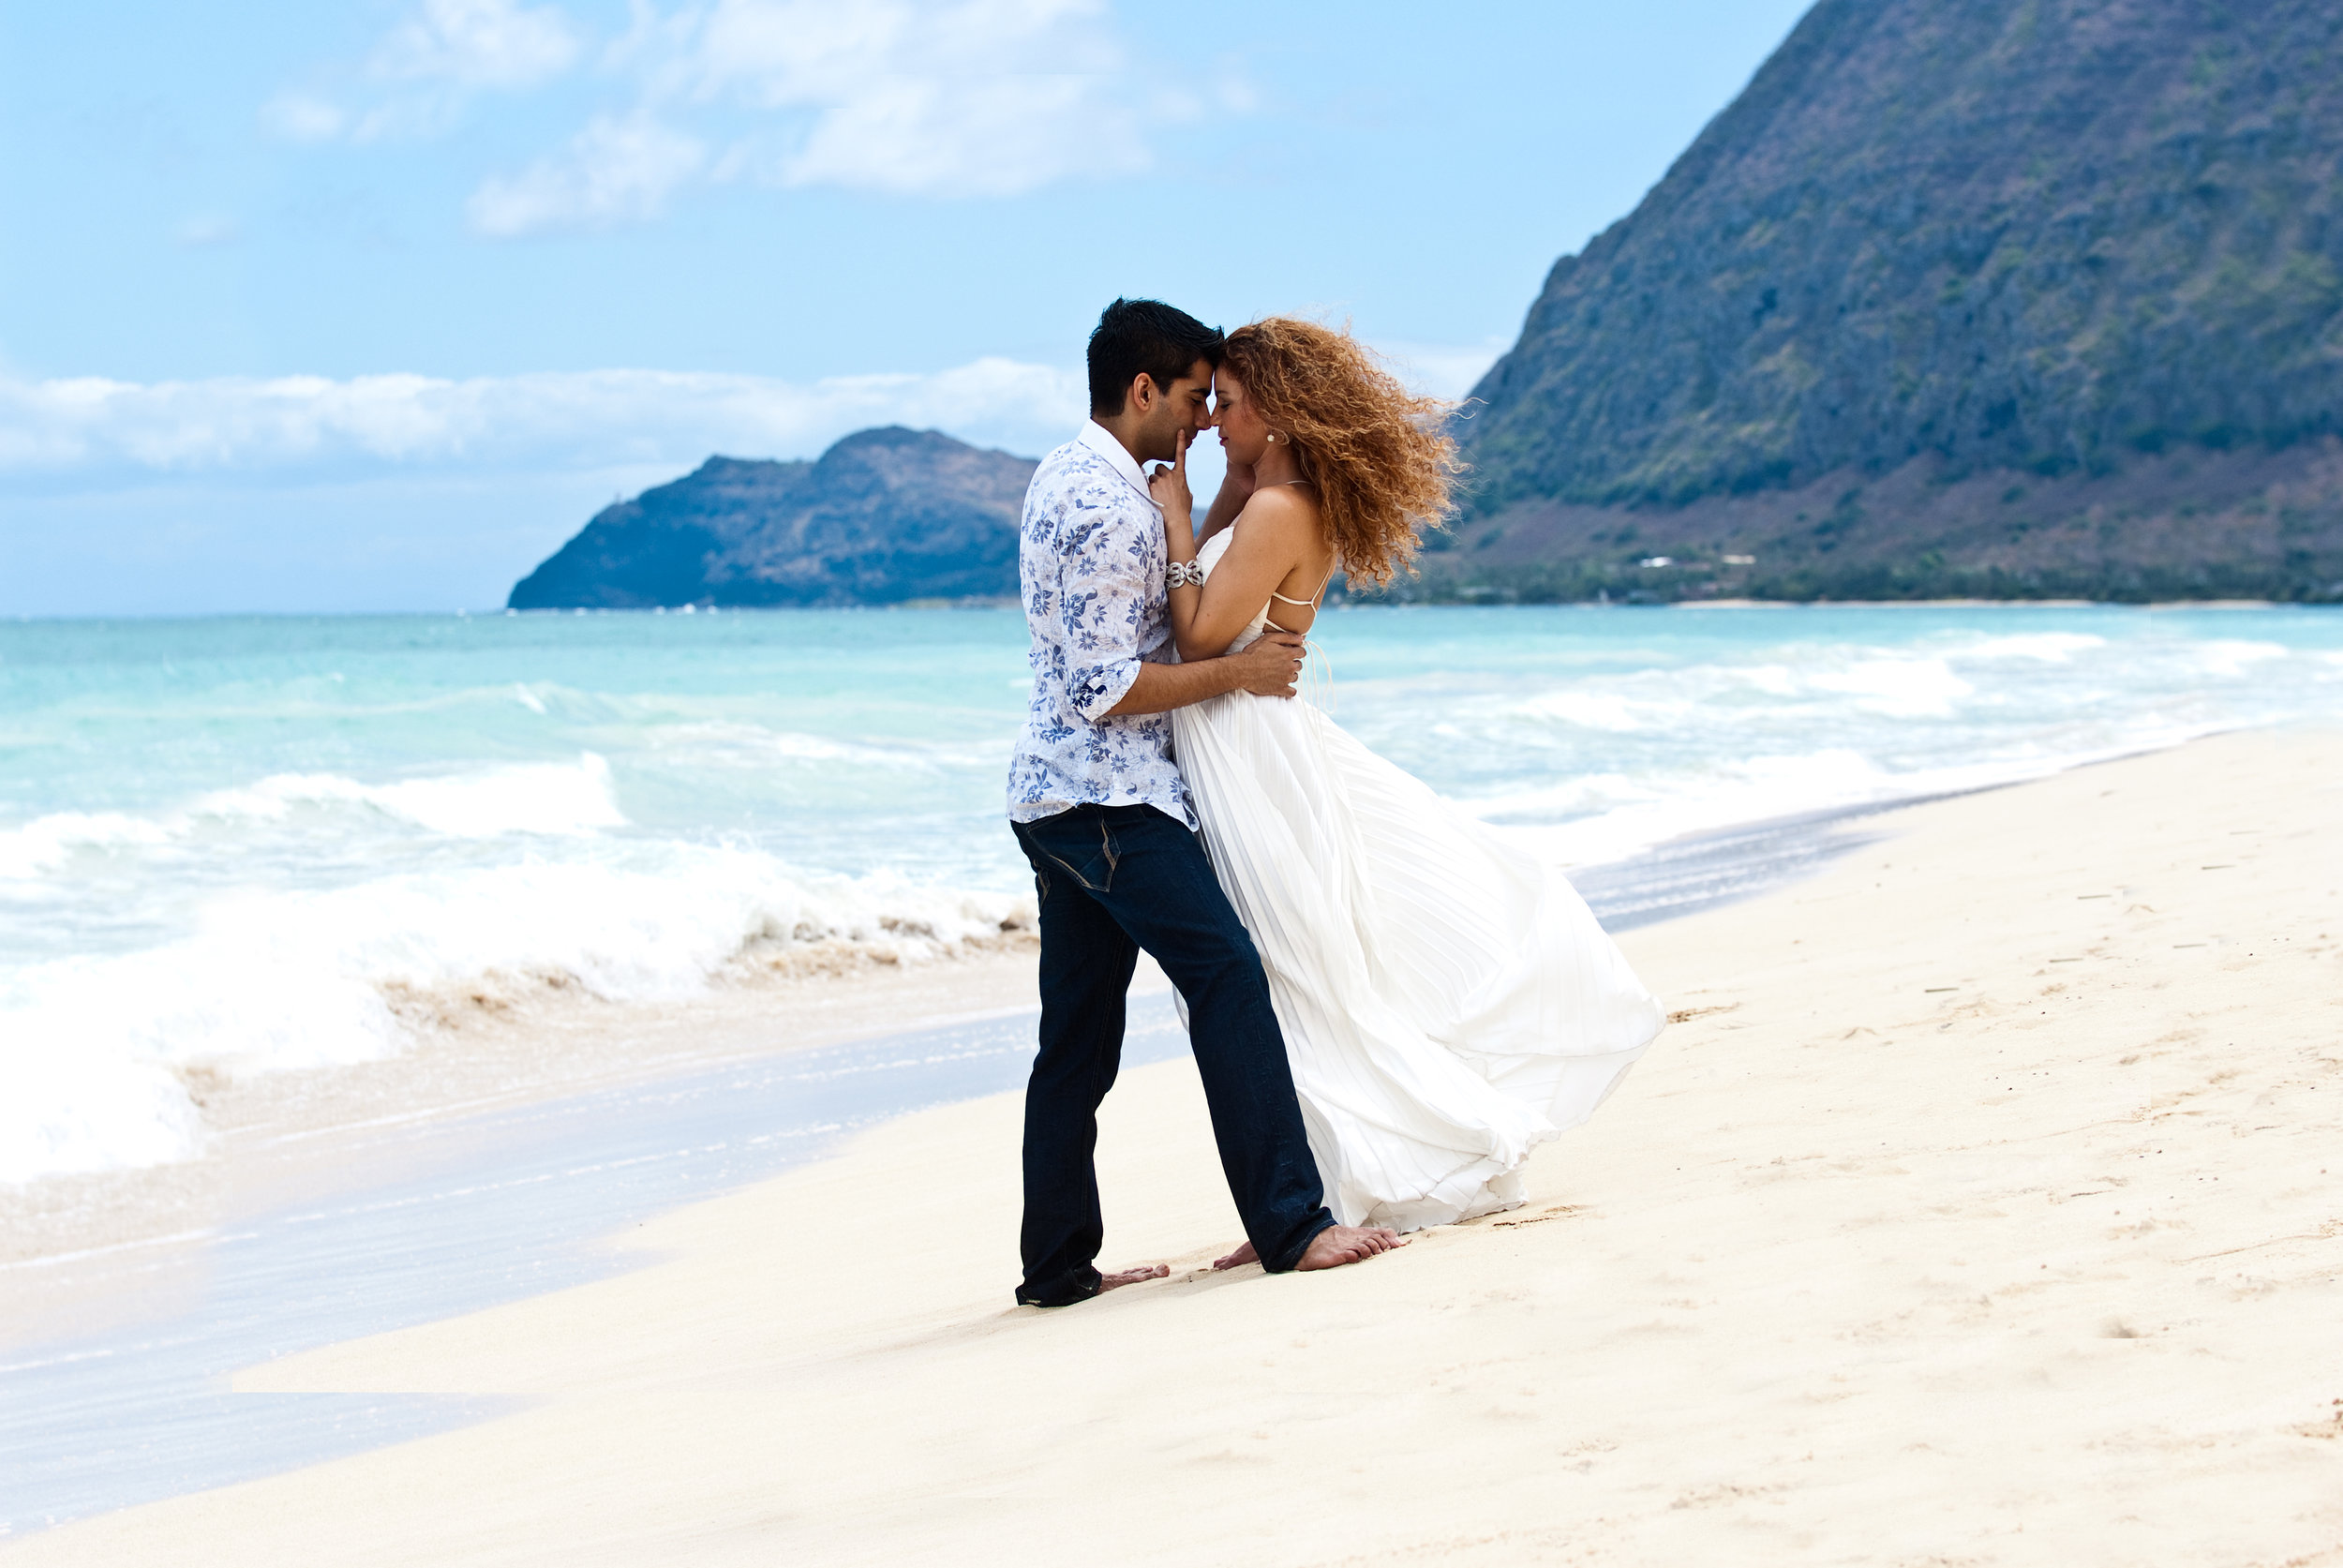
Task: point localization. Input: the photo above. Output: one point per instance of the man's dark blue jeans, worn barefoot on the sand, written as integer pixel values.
(1112, 882)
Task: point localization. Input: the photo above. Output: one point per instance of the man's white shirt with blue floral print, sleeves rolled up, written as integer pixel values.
(1091, 564)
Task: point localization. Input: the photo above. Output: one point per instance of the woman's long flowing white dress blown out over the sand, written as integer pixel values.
(1447, 1000)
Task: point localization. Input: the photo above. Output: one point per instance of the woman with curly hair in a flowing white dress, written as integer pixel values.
(1447, 1000)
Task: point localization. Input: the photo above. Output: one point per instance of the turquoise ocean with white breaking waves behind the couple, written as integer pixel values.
(243, 845)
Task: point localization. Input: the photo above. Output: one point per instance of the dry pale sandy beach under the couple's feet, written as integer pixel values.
(1974, 1211)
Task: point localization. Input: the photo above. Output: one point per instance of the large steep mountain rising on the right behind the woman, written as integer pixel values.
(1958, 296)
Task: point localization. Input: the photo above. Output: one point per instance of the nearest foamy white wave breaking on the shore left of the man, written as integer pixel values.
(97, 1051)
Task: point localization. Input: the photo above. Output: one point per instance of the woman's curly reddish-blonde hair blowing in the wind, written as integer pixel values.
(1377, 454)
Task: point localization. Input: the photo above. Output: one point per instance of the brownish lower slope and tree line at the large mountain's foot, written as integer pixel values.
(2171, 526)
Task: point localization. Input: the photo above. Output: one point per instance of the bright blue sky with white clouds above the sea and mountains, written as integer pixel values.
(367, 306)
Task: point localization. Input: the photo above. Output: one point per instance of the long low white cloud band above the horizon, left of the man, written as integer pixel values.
(104, 430)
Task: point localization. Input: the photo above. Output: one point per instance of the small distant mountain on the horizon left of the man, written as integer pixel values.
(880, 519)
